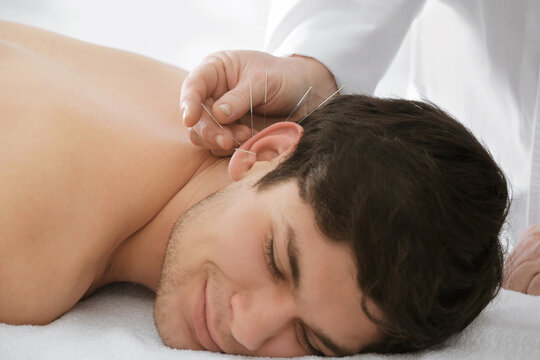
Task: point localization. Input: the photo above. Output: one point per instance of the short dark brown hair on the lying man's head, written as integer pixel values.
(420, 202)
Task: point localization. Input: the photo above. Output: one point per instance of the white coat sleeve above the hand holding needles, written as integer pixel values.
(355, 39)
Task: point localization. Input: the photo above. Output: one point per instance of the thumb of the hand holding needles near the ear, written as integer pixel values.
(234, 104)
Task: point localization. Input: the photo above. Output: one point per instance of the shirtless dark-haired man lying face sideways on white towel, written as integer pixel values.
(374, 227)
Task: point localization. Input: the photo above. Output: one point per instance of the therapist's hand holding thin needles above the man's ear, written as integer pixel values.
(221, 82)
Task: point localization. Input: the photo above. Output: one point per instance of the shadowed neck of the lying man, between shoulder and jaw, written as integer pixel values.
(140, 257)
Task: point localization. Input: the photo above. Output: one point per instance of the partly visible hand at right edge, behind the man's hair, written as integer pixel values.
(522, 269)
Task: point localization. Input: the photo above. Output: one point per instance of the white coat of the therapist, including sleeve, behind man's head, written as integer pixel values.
(478, 59)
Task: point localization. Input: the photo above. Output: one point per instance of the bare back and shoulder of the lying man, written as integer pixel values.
(91, 148)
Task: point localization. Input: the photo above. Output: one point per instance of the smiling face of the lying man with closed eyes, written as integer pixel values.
(218, 291)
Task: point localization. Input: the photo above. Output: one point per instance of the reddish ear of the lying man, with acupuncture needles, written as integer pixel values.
(269, 144)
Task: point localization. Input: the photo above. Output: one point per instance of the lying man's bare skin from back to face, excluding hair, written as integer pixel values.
(98, 168)
